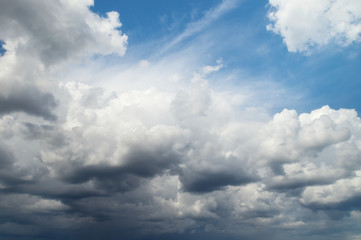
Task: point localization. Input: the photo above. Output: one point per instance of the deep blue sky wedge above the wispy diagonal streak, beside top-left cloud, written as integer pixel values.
(144, 20)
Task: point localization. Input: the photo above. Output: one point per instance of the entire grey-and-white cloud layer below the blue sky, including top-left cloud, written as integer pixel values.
(174, 156)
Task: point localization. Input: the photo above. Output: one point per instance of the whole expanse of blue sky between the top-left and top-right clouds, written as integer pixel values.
(328, 76)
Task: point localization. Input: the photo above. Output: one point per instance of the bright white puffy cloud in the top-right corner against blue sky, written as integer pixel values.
(310, 24)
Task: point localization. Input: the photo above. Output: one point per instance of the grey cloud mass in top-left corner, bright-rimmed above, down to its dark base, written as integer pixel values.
(34, 44)
